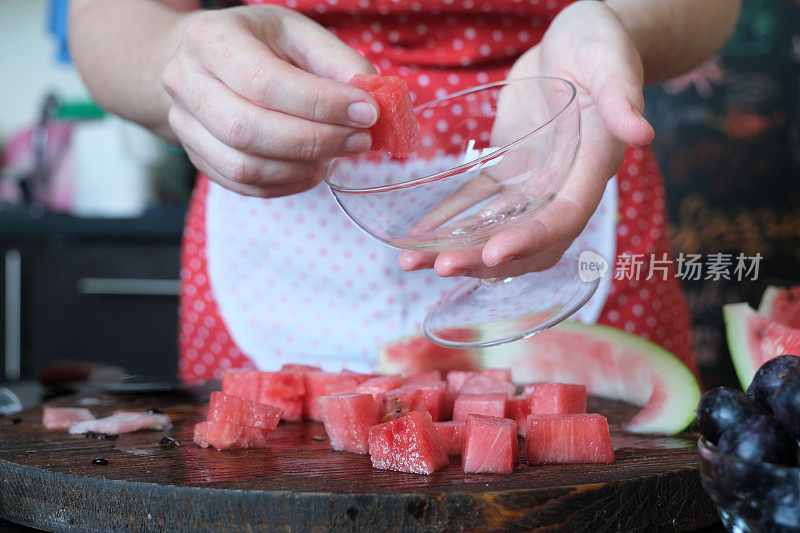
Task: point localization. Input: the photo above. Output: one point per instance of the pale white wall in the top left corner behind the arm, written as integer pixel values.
(28, 68)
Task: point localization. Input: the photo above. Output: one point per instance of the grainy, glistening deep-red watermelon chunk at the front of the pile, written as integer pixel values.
(407, 444)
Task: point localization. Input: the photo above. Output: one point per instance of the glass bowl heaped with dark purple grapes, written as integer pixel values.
(749, 449)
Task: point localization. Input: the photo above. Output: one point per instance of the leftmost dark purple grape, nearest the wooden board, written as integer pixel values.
(721, 407)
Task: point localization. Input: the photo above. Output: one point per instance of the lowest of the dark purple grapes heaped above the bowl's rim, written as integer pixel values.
(759, 440)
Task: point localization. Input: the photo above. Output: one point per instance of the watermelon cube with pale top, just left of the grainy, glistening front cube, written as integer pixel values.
(347, 419)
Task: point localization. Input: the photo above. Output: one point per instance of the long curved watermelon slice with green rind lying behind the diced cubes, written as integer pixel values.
(609, 362)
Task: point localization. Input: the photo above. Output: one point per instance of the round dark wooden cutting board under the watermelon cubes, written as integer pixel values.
(48, 480)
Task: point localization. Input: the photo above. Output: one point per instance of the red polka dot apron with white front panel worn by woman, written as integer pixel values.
(292, 279)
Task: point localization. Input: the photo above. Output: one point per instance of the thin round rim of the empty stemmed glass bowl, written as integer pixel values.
(464, 166)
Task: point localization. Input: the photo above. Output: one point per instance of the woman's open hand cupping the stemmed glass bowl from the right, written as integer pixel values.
(587, 45)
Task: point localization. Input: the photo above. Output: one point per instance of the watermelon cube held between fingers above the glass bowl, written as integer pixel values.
(396, 130)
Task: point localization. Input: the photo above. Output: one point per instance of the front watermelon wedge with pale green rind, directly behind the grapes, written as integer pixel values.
(753, 339)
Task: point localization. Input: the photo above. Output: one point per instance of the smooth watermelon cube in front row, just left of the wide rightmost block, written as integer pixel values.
(491, 445)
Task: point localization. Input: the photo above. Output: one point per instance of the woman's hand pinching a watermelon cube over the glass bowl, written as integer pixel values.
(260, 99)
